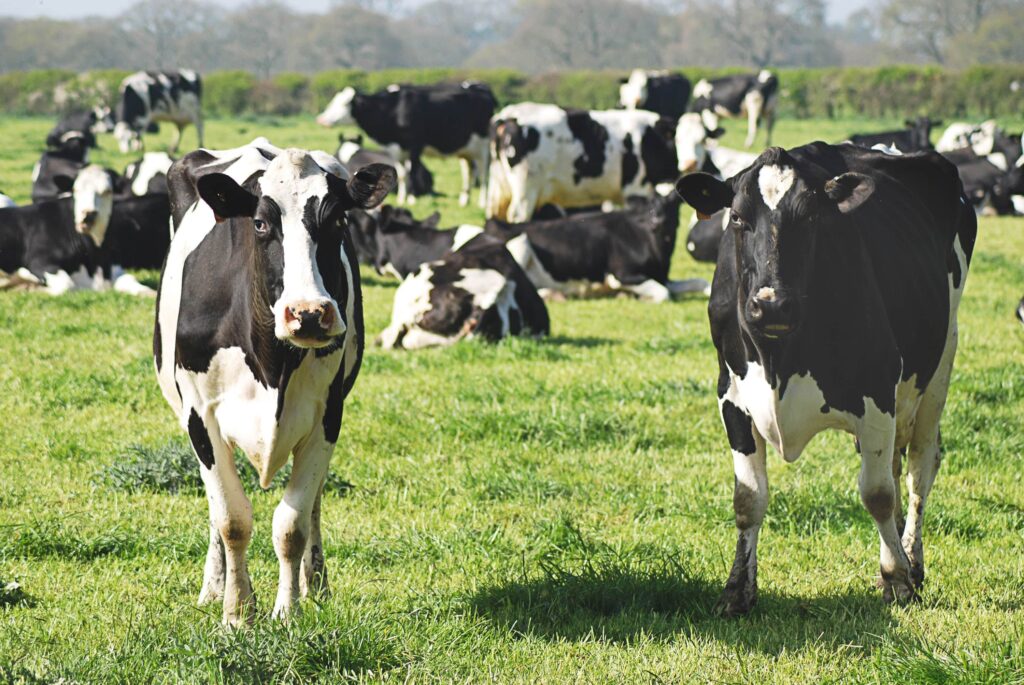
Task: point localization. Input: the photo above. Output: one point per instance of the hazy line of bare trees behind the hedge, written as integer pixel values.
(532, 36)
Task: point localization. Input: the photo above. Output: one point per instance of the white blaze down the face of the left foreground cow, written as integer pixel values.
(291, 180)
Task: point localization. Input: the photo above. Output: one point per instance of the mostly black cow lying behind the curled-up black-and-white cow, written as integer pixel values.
(626, 251)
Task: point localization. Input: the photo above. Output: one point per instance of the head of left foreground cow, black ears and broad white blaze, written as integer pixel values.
(295, 213)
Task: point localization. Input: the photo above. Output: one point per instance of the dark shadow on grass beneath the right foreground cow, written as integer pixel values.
(624, 607)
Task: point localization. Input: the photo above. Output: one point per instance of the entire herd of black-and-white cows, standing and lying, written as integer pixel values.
(839, 275)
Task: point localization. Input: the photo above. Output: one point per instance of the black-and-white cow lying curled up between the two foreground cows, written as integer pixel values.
(479, 291)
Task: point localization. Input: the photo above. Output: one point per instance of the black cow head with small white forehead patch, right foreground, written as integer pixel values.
(777, 212)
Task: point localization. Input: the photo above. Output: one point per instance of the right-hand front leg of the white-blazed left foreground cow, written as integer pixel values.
(292, 519)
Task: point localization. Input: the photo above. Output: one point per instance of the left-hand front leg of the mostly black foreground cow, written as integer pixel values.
(750, 501)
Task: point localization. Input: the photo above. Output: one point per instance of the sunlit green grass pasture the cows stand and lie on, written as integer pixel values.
(548, 511)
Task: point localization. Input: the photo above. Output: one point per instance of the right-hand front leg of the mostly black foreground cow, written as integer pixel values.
(878, 491)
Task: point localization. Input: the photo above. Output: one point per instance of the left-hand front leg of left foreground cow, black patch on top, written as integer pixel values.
(232, 517)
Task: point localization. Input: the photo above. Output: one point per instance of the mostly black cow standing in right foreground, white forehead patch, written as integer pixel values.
(835, 307)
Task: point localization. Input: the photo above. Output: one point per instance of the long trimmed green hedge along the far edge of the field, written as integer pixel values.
(884, 92)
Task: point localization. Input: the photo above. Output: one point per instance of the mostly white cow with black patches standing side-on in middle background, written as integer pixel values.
(575, 158)
